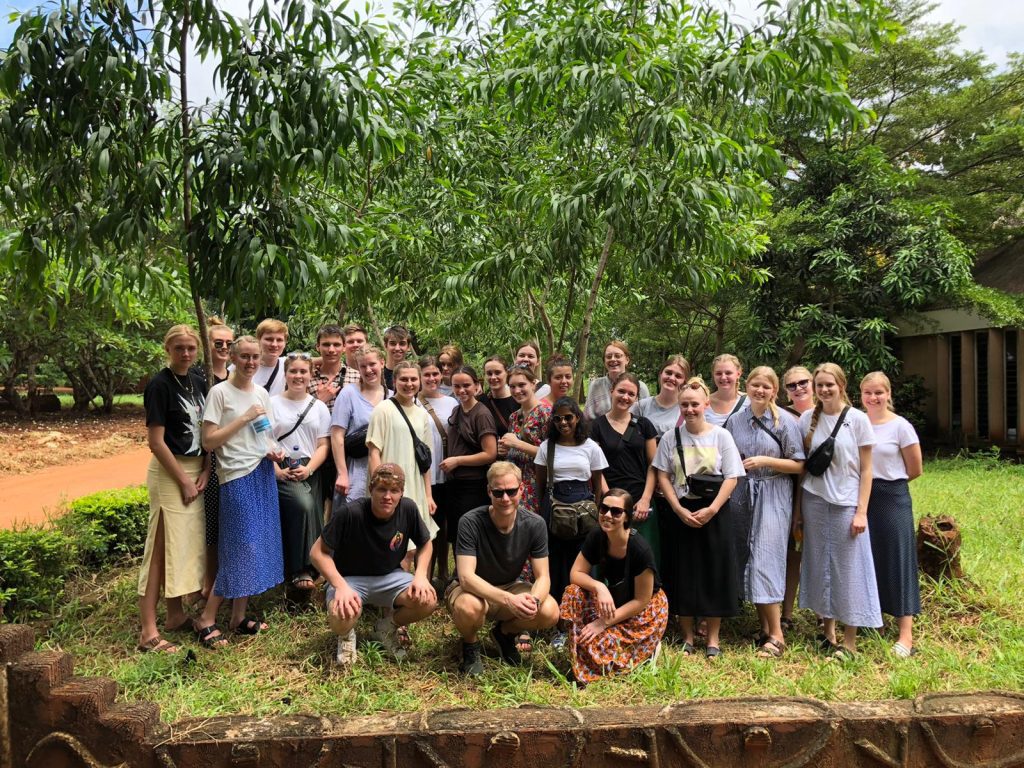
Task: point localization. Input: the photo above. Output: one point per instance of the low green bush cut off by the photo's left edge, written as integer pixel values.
(34, 565)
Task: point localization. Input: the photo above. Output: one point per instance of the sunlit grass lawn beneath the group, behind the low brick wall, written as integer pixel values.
(969, 638)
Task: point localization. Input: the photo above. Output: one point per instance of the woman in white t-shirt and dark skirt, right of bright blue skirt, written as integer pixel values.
(303, 428)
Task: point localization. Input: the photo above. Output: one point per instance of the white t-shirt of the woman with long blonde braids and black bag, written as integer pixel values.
(841, 483)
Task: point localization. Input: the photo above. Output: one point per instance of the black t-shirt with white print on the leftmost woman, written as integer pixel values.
(177, 403)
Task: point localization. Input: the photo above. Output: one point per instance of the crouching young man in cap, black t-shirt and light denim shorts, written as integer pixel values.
(360, 556)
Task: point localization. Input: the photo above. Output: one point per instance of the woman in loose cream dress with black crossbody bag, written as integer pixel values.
(391, 440)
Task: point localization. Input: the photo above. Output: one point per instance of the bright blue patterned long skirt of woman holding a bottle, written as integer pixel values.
(249, 548)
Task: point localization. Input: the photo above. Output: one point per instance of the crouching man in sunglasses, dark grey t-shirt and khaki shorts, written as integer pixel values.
(494, 543)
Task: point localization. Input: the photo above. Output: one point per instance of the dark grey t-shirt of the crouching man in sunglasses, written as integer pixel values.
(500, 557)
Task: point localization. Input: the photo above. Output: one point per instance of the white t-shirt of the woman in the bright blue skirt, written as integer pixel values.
(246, 449)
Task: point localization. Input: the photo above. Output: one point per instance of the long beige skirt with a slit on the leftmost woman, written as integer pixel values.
(185, 530)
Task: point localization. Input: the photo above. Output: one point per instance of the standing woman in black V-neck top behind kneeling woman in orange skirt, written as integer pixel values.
(628, 444)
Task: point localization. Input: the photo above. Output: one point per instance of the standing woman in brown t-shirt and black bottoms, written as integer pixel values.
(473, 448)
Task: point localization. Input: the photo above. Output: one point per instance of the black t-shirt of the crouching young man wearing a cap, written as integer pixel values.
(365, 545)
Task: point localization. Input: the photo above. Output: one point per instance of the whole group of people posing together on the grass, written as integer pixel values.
(594, 522)
